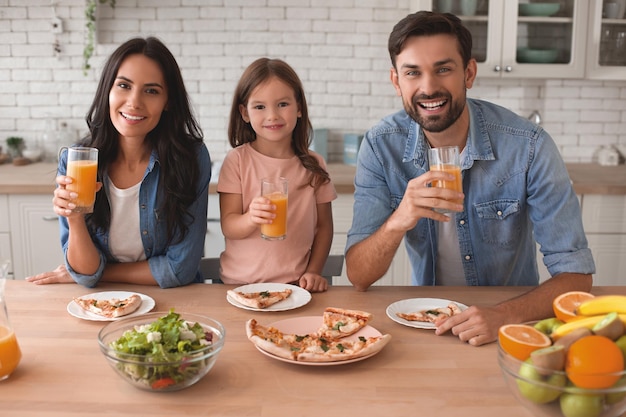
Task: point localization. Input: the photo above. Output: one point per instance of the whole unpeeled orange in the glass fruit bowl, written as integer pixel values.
(594, 362)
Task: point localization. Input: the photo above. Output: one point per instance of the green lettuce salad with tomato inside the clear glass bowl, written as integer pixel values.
(170, 350)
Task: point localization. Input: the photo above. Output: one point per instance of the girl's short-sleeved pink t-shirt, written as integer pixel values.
(254, 259)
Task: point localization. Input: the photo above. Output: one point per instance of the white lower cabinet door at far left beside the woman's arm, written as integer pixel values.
(34, 234)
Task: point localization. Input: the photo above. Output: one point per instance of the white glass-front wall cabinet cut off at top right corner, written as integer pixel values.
(606, 42)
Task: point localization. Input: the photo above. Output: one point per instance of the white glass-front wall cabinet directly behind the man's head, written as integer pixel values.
(522, 39)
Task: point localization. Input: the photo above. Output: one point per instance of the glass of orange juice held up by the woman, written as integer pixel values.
(82, 166)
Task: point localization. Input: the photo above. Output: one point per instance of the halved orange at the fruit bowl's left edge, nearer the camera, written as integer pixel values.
(519, 340)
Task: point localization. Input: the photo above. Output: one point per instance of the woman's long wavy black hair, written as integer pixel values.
(176, 139)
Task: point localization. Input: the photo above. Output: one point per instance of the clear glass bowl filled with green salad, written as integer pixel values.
(162, 351)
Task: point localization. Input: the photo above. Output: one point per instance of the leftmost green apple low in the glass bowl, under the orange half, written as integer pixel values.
(536, 393)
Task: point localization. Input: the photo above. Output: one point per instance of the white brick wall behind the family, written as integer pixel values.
(338, 47)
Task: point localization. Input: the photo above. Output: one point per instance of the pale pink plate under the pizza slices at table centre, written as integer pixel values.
(310, 324)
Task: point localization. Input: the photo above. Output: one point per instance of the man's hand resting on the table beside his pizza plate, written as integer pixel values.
(475, 325)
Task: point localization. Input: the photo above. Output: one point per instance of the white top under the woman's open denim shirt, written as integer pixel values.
(124, 235)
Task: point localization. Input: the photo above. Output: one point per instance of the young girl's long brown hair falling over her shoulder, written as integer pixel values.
(240, 132)
